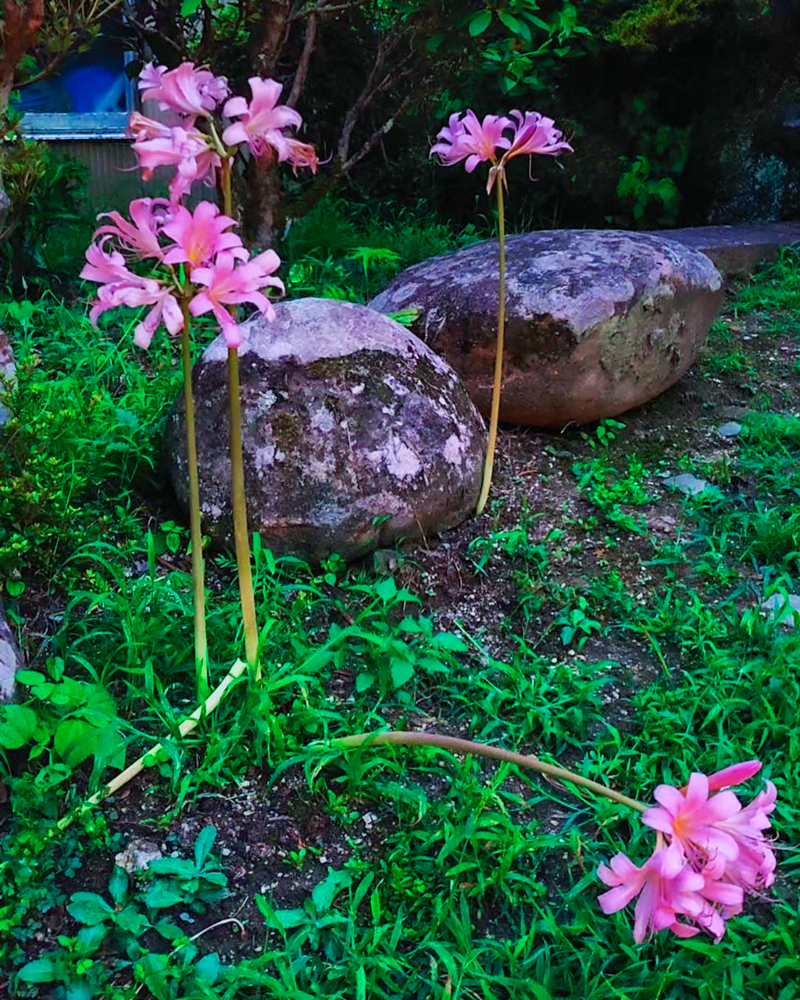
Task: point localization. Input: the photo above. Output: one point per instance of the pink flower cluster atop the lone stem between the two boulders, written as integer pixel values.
(467, 138)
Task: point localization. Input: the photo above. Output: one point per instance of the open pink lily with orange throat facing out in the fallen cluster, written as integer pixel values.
(694, 820)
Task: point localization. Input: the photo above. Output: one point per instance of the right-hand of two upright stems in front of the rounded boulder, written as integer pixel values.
(240, 532)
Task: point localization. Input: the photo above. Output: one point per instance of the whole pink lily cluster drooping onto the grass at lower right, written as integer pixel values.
(710, 851)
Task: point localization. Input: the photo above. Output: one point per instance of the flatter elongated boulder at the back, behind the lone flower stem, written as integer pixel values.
(597, 321)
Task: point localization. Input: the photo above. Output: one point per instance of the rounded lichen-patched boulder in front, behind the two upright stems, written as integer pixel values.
(355, 434)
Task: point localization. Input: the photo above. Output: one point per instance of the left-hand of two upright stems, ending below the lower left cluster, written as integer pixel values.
(198, 583)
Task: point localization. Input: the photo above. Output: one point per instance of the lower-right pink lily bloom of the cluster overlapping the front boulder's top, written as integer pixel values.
(226, 284)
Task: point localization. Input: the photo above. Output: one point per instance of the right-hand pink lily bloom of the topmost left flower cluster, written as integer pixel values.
(261, 122)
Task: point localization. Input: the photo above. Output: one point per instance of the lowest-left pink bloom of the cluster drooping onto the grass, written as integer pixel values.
(666, 886)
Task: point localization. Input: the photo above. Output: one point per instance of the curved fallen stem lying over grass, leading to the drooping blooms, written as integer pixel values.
(456, 745)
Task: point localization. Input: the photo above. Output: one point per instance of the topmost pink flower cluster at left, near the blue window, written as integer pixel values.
(192, 145)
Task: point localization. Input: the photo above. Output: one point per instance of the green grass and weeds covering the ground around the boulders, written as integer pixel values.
(632, 653)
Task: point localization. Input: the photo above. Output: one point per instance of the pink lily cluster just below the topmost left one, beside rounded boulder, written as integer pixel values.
(219, 271)
